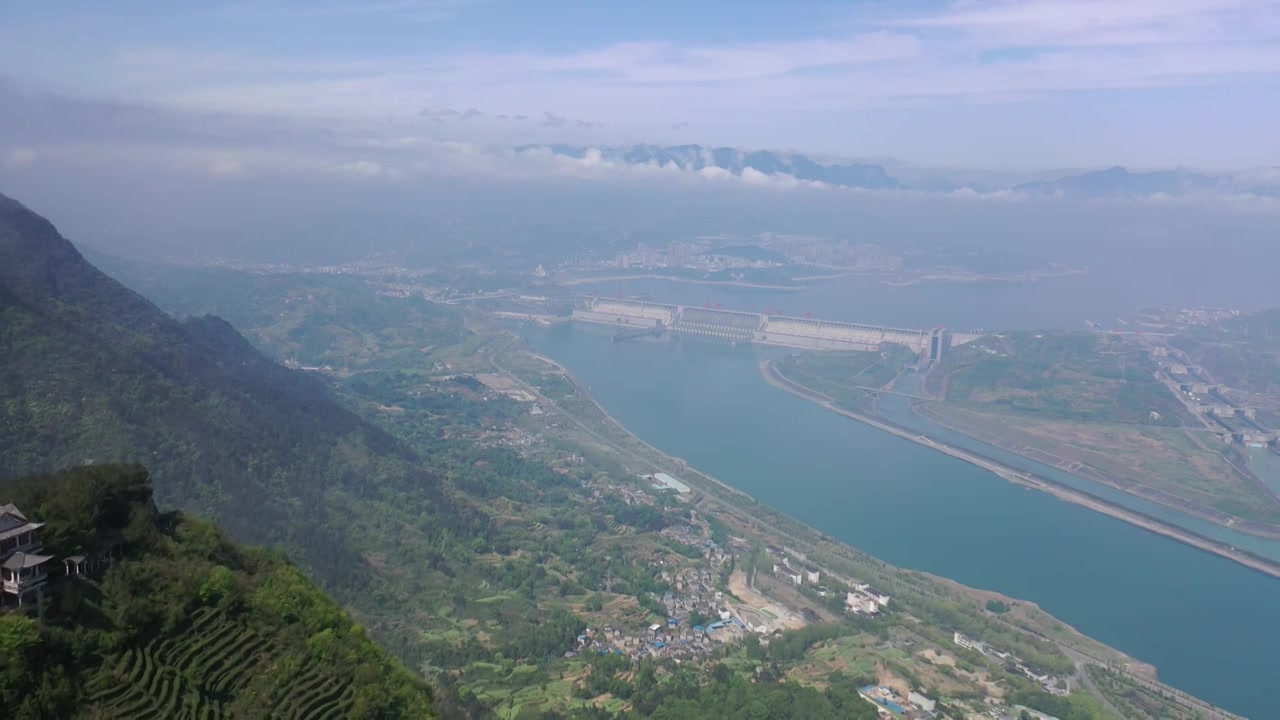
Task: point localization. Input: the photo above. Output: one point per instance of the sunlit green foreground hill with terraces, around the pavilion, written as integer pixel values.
(181, 623)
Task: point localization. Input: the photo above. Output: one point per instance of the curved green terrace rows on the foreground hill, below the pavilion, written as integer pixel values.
(212, 672)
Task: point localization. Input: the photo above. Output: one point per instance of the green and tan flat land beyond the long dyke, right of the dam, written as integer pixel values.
(1091, 399)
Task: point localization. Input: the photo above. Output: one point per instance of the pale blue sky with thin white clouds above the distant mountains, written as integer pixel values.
(981, 84)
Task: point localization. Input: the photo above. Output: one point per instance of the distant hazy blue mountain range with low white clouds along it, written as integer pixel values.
(1113, 183)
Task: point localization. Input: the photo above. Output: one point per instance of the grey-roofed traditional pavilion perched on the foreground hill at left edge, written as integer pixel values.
(25, 568)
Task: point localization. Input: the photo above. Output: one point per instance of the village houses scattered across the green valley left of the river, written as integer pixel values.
(714, 596)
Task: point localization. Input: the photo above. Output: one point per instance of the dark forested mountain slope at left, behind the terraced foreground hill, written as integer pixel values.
(93, 372)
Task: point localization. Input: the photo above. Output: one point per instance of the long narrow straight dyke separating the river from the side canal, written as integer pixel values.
(1063, 493)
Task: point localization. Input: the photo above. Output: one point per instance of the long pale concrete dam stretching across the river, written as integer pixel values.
(739, 327)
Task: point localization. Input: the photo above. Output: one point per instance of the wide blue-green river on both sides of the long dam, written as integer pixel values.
(1206, 623)
